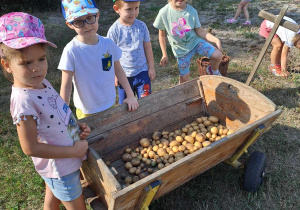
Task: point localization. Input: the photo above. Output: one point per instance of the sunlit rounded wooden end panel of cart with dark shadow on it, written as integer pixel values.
(235, 103)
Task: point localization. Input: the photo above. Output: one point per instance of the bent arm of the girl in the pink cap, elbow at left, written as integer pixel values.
(27, 133)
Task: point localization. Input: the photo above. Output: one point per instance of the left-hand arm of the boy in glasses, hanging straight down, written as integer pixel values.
(66, 85)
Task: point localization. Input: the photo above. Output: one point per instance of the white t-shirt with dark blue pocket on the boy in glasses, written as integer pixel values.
(94, 73)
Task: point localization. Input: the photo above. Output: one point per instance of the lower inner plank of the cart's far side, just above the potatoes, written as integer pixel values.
(135, 130)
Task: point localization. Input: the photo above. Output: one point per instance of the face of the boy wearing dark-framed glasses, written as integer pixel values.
(87, 31)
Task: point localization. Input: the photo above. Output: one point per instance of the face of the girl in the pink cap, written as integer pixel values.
(31, 70)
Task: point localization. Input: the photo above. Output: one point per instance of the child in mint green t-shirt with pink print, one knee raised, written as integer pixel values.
(186, 37)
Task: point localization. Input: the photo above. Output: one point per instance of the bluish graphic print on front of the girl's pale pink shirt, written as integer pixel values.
(66, 115)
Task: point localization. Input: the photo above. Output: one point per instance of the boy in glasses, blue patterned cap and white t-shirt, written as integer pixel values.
(92, 62)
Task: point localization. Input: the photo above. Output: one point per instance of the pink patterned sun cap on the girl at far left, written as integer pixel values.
(19, 30)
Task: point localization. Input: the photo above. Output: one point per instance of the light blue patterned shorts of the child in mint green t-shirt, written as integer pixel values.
(184, 62)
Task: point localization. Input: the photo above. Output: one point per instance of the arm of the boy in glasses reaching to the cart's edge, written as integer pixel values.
(122, 79)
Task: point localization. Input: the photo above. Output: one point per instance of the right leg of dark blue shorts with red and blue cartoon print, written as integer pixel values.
(142, 84)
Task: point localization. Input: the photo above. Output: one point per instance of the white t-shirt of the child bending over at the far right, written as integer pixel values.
(284, 34)
